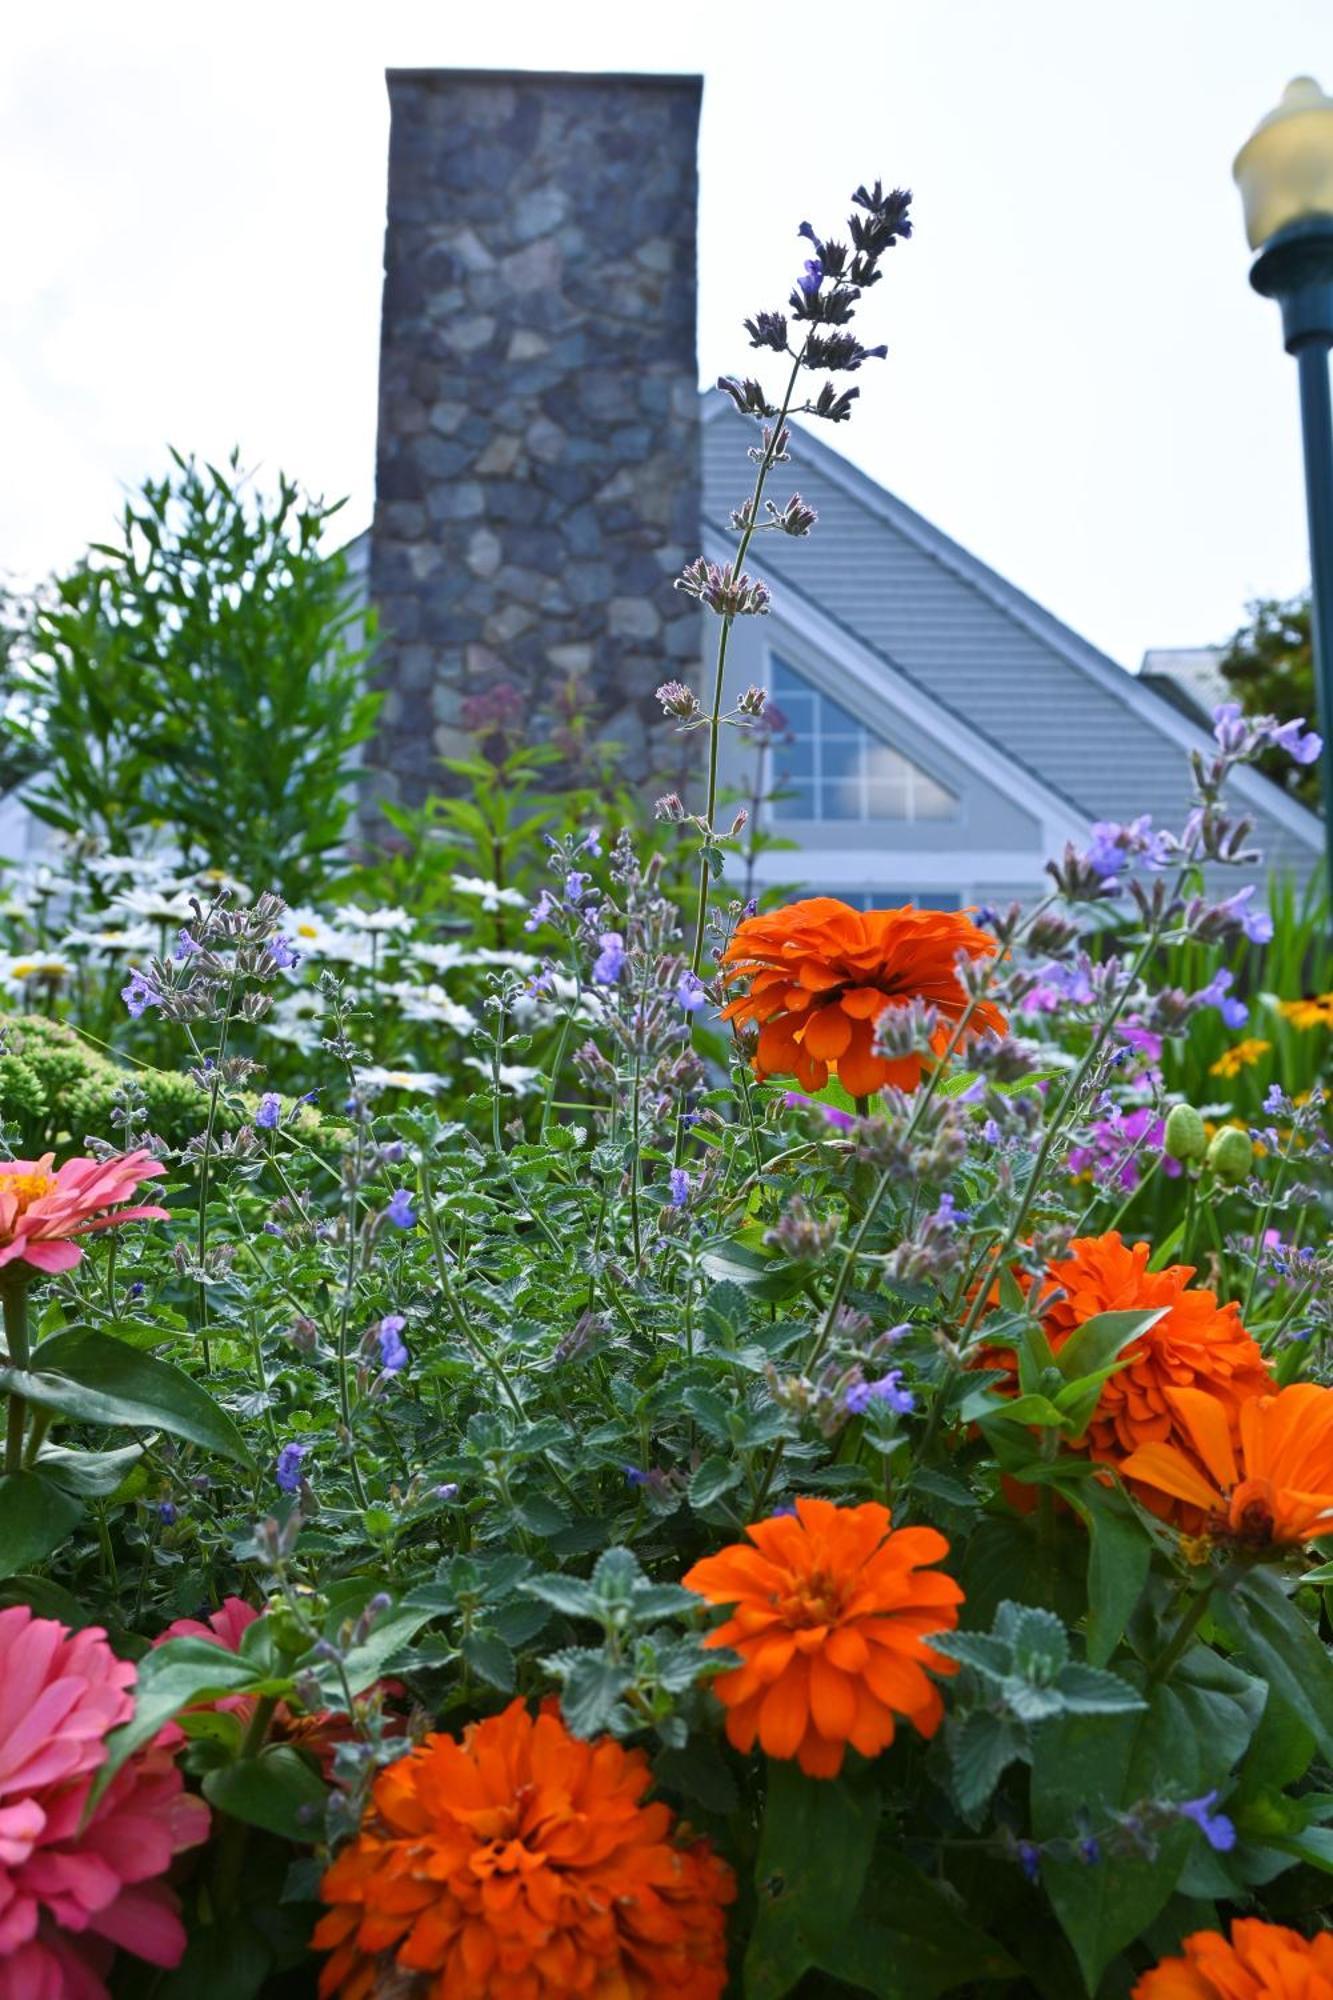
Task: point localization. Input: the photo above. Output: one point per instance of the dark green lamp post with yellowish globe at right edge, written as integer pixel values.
(1286, 179)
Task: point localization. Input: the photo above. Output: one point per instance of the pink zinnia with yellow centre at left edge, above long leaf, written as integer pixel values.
(41, 1213)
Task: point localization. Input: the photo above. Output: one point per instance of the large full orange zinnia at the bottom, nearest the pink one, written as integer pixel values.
(521, 1865)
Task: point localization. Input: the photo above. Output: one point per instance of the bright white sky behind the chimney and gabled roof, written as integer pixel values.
(1082, 387)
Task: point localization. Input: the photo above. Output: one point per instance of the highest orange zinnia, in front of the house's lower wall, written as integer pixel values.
(822, 975)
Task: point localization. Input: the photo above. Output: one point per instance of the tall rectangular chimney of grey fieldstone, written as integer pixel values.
(537, 477)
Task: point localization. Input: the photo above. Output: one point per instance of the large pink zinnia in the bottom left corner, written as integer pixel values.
(75, 1885)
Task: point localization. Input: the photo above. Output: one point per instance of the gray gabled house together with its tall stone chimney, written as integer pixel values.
(545, 469)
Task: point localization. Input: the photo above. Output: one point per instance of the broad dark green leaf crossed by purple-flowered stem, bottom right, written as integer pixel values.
(1102, 1765)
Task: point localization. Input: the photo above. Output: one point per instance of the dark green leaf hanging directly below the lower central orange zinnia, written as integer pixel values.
(814, 1855)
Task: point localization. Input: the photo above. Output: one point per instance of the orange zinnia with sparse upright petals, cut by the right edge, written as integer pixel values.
(1274, 1491)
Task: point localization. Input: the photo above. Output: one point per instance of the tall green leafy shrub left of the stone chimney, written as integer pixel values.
(203, 675)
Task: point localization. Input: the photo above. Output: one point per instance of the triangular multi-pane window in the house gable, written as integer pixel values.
(836, 769)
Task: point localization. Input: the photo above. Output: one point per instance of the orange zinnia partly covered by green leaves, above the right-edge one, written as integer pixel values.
(1196, 1345)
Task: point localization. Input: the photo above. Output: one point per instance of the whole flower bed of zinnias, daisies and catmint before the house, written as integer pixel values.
(573, 1435)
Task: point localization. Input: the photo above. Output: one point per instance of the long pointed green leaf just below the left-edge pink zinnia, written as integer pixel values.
(103, 1381)
